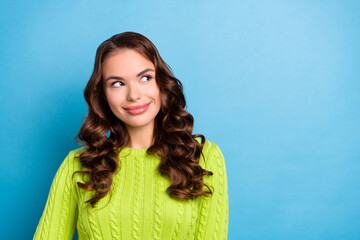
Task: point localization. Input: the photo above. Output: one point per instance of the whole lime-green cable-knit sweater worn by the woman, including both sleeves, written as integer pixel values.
(140, 207)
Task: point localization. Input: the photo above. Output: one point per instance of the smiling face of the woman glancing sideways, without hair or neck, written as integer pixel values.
(130, 88)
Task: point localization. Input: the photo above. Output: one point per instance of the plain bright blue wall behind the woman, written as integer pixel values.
(274, 83)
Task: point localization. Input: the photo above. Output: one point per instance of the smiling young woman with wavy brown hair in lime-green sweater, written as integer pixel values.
(141, 173)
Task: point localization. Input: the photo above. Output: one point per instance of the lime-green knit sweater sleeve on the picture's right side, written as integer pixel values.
(212, 223)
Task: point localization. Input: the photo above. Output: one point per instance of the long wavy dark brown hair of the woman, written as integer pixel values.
(174, 142)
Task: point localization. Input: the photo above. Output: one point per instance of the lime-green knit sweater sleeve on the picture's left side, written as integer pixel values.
(58, 220)
